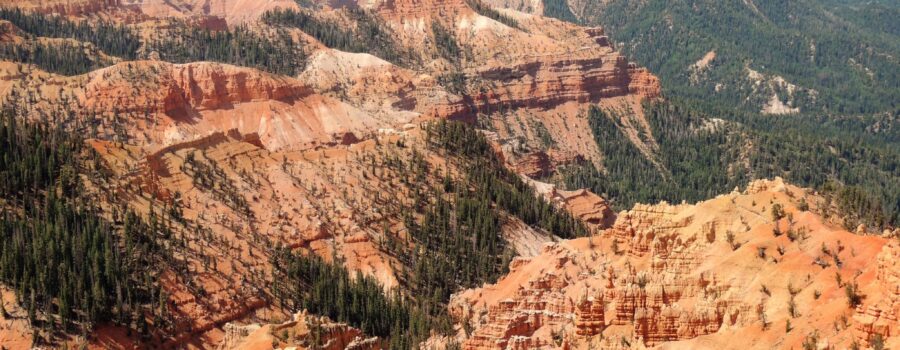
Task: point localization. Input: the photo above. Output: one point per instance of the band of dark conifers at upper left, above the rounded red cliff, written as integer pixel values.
(272, 51)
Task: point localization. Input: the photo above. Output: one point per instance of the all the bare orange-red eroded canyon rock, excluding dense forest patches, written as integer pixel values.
(324, 162)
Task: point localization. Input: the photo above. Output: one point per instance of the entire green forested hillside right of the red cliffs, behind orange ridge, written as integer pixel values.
(833, 65)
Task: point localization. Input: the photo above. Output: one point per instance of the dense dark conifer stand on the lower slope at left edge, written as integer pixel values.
(71, 266)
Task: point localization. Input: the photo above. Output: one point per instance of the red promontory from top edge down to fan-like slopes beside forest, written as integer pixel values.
(530, 78)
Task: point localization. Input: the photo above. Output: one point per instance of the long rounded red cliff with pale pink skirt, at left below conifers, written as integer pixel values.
(159, 104)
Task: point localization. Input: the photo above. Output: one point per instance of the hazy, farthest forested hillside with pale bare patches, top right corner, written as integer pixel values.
(832, 56)
